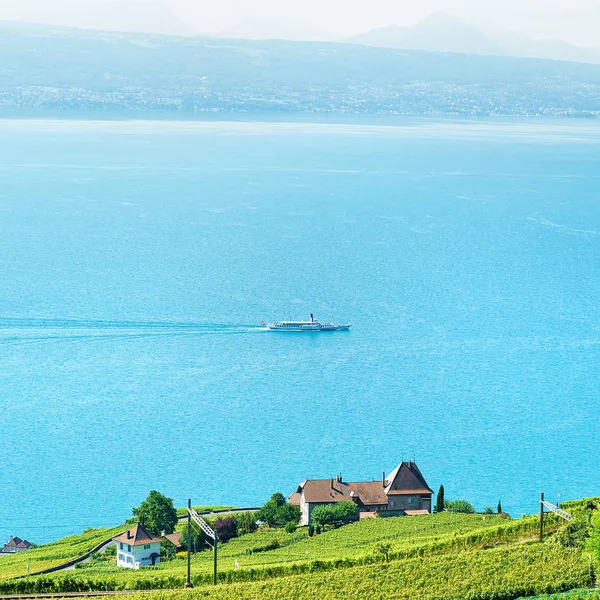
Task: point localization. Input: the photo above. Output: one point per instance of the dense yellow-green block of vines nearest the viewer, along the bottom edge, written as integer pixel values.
(499, 574)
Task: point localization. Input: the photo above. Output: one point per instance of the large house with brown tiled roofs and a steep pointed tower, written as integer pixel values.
(403, 492)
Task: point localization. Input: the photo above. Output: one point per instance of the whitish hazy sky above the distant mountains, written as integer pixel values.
(575, 20)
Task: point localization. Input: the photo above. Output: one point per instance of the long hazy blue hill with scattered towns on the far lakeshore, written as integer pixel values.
(62, 69)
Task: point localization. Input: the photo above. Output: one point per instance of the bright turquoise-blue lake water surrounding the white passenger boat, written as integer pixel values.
(137, 260)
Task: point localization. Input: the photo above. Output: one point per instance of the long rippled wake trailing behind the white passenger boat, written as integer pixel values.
(52, 329)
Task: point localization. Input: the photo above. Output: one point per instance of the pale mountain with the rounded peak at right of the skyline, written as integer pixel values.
(442, 32)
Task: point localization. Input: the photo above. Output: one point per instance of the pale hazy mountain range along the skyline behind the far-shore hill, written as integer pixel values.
(440, 32)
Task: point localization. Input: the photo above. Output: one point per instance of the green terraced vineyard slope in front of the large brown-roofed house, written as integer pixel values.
(430, 557)
